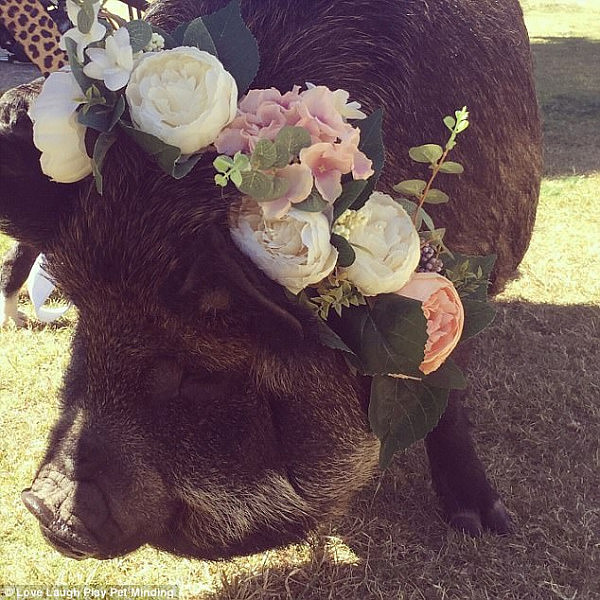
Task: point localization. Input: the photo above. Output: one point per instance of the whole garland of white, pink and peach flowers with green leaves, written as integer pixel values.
(375, 270)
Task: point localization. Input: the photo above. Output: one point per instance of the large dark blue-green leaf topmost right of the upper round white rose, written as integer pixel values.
(236, 47)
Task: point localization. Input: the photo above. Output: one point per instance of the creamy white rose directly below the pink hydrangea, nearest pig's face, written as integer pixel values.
(295, 250)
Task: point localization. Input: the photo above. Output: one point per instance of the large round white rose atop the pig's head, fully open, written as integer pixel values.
(182, 96)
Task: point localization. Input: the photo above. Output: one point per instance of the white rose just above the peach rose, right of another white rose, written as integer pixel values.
(386, 244)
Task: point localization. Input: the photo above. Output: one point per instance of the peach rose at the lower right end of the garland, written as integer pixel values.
(444, 312)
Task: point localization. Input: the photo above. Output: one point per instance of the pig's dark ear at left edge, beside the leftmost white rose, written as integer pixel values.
(31, 206)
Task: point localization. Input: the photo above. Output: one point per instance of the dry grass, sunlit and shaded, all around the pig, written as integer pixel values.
(536, 413)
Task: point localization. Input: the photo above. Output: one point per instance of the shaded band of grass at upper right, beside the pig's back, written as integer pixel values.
(568, 84)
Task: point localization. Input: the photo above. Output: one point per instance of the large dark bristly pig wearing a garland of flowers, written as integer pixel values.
(199, 414)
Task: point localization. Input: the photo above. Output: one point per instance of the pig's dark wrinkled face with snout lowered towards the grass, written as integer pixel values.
(194, 416)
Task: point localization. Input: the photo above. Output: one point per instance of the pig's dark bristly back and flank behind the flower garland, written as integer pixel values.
(418, 77)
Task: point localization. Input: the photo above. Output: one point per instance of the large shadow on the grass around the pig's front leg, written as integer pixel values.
(536, 415)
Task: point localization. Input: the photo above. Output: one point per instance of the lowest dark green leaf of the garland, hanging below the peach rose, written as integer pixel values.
(402, 412)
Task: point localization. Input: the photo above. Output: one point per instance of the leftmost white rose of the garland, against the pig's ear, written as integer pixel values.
(56, 131)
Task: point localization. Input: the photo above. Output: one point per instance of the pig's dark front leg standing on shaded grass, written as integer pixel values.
(468, 500)
